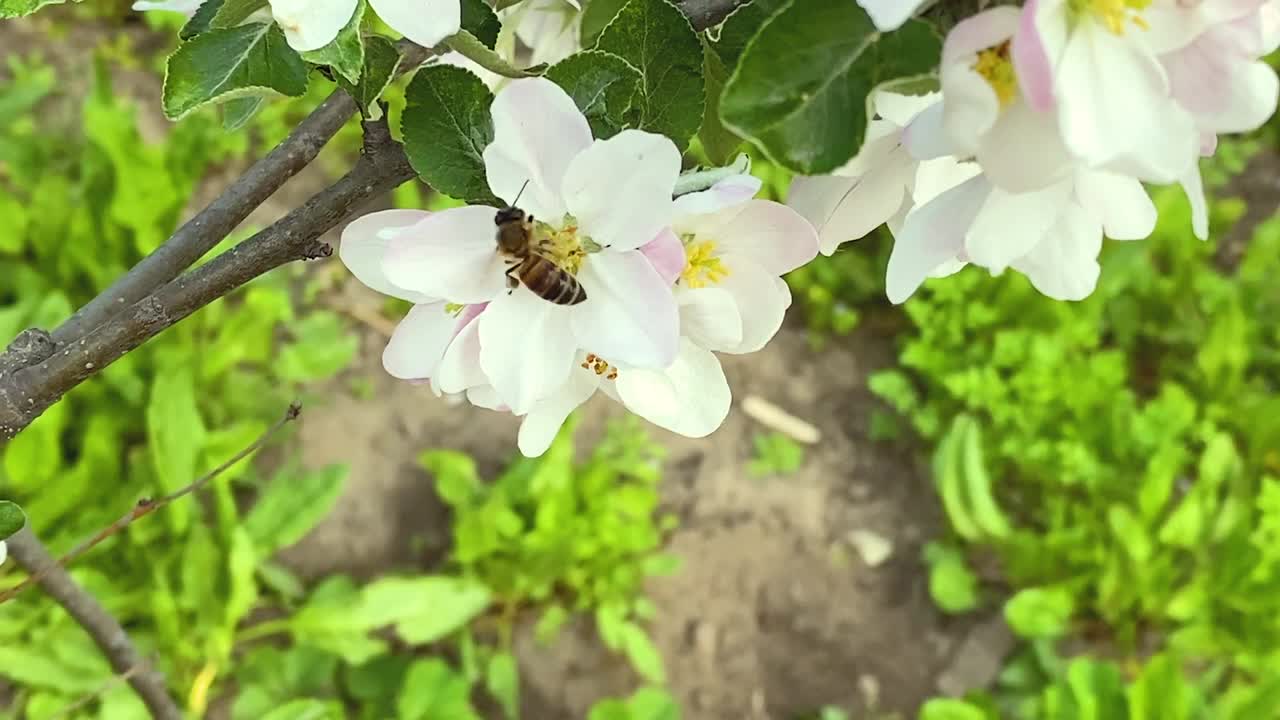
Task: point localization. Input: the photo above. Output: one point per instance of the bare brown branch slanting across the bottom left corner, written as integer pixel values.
(106, 630)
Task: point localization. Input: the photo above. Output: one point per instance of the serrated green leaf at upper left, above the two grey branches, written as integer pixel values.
(227, 63)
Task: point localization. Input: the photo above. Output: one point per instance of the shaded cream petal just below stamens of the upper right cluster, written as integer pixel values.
(1025, 151)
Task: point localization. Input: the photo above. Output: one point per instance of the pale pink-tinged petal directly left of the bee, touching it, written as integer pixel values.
(451, 254)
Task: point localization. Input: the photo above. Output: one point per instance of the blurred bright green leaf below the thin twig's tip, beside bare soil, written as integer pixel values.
(291, 505)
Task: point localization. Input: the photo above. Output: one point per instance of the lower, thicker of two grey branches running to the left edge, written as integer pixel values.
(26, 393)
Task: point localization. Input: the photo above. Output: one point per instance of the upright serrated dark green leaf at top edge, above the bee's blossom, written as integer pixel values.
(656, 38)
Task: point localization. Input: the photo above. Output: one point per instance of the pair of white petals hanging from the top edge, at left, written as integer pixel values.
(310, 25)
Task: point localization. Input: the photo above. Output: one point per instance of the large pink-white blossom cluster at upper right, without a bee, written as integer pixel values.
(1049, 120)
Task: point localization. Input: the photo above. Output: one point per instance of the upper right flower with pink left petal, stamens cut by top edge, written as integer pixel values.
(1092, 63)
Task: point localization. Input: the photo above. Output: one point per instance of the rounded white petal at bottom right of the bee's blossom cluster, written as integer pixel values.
(691, 398)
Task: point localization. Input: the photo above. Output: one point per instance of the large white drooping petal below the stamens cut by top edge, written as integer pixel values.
(1116, 108)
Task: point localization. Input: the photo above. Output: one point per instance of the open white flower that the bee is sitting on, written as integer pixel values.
(596, 203)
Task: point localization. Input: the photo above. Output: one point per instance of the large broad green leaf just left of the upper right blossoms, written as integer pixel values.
(812, 62)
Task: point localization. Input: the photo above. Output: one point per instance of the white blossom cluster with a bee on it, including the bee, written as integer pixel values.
(668, 281)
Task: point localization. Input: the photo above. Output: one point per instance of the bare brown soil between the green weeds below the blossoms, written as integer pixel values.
(775, 613)
